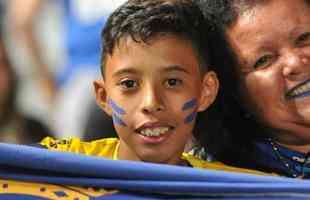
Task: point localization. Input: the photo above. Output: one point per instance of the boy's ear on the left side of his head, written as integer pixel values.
(101, 96)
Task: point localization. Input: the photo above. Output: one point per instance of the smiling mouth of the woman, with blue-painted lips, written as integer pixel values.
(300, 90)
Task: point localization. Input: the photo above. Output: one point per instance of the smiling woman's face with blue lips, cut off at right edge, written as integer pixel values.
(272, 43)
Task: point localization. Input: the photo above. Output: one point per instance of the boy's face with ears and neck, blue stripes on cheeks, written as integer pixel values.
(153, 92)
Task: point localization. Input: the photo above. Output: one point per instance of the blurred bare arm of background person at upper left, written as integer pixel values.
(22, 16)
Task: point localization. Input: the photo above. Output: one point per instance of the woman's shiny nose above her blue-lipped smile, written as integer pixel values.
(296, 65)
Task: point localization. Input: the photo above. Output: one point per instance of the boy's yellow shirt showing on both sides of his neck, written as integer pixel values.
(108, 148)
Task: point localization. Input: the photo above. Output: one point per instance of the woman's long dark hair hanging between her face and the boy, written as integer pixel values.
(241, 128)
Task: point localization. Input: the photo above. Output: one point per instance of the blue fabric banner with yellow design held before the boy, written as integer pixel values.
(33, 173)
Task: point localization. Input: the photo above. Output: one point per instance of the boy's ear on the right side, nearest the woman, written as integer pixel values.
(210, 87)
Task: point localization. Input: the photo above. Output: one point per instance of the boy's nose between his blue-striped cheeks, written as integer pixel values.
(152, 101)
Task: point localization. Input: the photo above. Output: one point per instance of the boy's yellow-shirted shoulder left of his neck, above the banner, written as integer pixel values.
(106, 147)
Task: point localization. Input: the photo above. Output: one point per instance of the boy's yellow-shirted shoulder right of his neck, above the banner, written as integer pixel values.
(214, 165)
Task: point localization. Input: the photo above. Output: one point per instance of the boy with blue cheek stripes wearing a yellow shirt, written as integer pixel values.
(155, 81)
